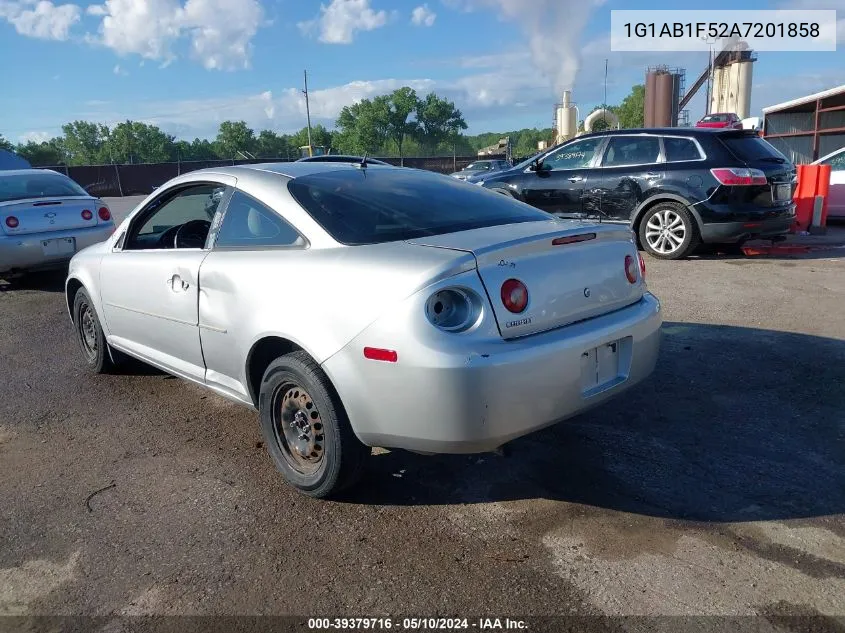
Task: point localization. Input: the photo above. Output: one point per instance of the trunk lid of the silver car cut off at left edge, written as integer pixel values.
(38, 215)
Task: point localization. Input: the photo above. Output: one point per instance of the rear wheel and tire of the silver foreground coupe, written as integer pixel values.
(306, 429)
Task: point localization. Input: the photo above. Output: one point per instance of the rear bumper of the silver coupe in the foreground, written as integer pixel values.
(470, 403)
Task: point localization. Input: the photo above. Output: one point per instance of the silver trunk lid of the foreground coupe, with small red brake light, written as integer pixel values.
(573, 271)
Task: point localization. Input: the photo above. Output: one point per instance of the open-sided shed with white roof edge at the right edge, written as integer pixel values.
(807, 128)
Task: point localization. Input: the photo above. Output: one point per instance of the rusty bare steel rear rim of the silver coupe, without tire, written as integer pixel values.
(298, 428)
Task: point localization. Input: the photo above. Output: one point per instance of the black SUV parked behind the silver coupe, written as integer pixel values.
(677, 187)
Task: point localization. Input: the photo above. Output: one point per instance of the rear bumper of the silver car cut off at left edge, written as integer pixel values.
(21, 253)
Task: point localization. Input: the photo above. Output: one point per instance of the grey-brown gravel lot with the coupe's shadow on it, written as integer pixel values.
(718, 488)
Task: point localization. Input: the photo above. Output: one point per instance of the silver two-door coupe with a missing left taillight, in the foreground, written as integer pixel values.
(359, 305)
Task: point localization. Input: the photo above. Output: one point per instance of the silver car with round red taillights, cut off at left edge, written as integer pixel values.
(45, 217)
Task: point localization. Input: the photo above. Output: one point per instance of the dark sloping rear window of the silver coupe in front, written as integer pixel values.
(375, 205)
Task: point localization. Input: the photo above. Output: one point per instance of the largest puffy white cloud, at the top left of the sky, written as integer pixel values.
(219, 31)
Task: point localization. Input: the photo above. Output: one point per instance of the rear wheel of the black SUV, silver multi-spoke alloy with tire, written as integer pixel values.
(668, 231)
